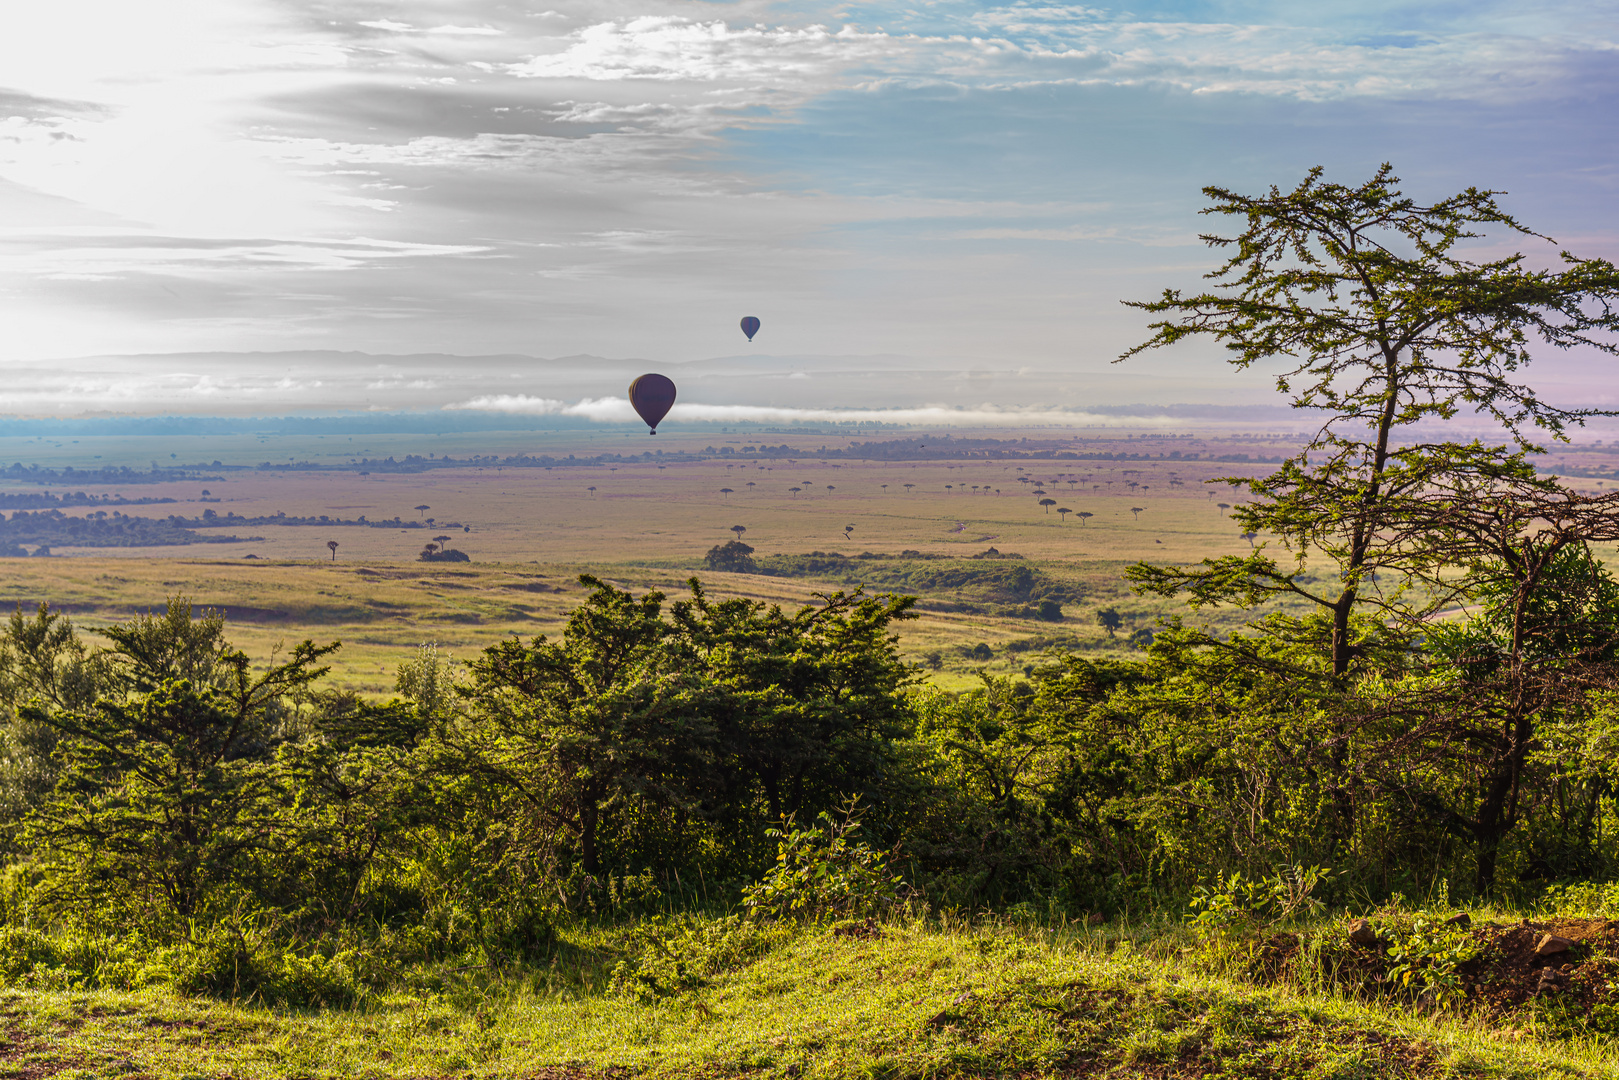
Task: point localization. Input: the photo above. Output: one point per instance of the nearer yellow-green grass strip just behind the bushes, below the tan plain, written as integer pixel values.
(385, 610)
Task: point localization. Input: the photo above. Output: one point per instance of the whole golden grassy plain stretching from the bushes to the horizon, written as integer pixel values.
(532, 532)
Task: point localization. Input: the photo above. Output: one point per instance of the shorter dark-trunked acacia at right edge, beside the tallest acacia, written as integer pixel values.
(1547, 636)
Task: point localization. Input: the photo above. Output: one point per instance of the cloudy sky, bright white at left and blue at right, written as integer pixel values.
(974, 187)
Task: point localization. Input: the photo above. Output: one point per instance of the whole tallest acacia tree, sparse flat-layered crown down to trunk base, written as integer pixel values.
(1383, 323)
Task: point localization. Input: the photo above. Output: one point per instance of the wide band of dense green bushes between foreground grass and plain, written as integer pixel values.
(163, 781)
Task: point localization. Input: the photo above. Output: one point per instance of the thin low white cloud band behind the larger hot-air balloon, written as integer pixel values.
(614, 410)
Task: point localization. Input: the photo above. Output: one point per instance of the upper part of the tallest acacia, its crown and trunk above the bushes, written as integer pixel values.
(1382, 321)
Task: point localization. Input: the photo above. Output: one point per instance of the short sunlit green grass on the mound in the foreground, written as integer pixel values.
(912, 1000)
